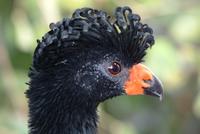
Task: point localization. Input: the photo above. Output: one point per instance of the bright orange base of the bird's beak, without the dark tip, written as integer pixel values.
(135, 85)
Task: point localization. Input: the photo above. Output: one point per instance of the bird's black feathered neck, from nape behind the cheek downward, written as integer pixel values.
(58, 109)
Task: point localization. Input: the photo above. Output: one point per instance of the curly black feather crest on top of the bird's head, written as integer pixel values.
(125, 34)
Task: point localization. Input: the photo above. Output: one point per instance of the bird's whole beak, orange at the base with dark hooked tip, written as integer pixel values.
(141, 81)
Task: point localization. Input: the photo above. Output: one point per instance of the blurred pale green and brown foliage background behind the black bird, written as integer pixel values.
(175, 59)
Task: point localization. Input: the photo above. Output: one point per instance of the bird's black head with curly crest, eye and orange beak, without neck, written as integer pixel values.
(91, 57)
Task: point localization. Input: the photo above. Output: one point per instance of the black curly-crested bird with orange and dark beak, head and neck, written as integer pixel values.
(84, 60)
